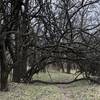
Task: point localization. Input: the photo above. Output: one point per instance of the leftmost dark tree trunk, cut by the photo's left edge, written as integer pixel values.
(4, 68)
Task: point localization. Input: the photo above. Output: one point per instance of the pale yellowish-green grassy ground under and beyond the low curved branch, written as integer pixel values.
(81, 90)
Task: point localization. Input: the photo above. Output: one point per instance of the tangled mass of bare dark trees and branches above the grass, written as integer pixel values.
(48, 31)
